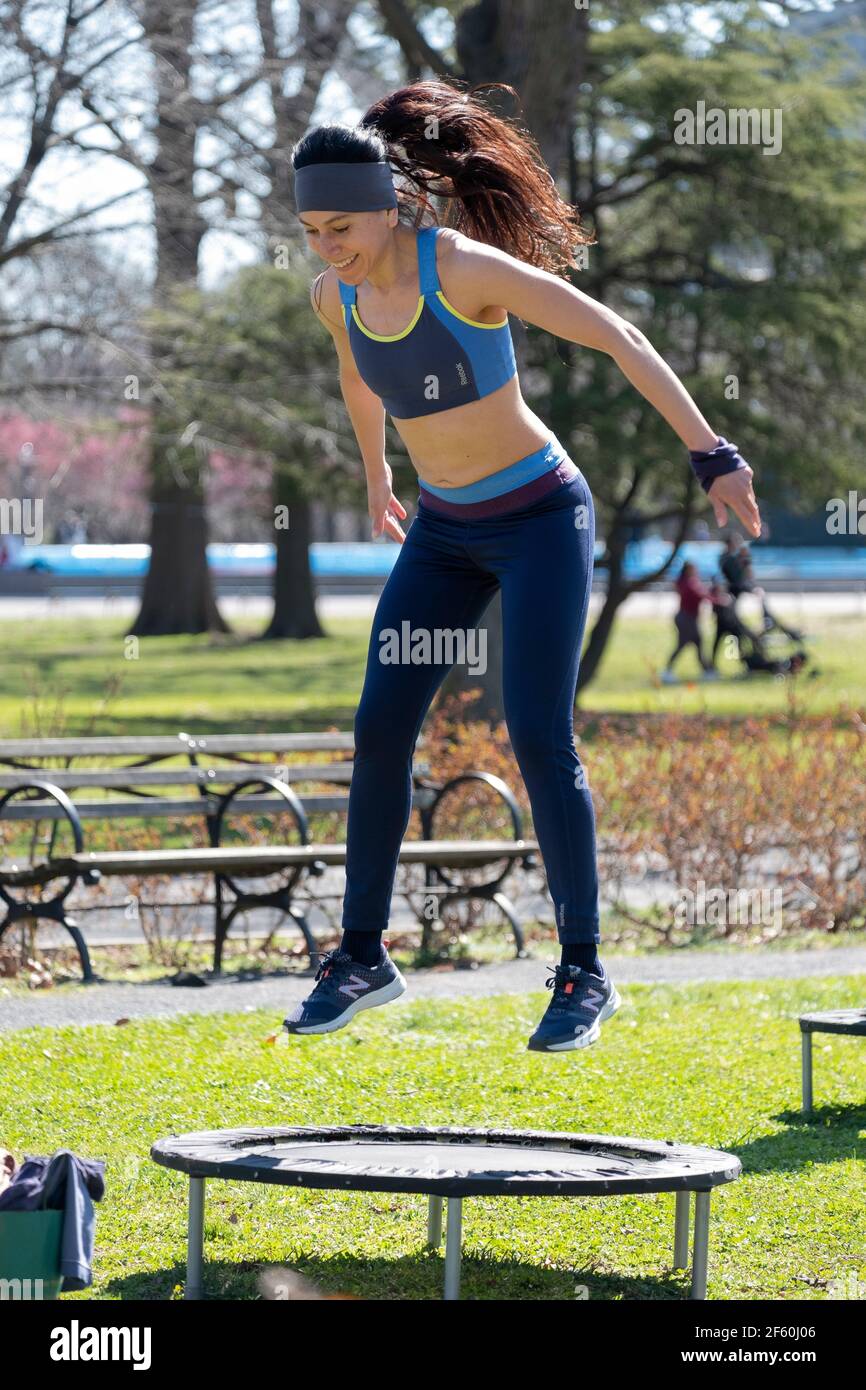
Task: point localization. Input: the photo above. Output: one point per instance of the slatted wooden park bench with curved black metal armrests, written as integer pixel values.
(218, 797)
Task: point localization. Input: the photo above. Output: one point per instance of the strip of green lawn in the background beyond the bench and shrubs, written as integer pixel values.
(208, 685)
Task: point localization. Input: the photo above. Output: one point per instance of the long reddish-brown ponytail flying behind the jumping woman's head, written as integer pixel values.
(489, 167)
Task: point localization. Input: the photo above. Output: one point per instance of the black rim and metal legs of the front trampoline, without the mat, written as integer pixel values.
(199, 1170)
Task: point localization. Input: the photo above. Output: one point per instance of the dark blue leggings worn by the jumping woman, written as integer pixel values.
(446, 576)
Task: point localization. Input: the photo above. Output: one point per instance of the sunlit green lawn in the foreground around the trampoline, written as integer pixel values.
(705, 1064)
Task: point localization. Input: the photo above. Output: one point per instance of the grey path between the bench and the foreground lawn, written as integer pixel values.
(108, 1003)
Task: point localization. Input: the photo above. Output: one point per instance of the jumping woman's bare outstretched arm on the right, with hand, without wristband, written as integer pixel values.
(491, 277)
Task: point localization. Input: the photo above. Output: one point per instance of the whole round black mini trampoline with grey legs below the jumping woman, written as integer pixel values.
(448, 1166)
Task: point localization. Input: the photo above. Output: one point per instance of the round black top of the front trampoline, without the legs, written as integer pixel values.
(457, 1163)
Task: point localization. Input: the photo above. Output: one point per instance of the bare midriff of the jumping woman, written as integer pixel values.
(454, 448)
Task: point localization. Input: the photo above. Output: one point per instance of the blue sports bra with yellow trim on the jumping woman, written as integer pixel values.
(441, 359)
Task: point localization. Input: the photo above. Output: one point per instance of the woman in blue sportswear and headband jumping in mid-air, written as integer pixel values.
(420, 326)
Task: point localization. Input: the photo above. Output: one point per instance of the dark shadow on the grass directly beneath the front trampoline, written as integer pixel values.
(408, 1278)
